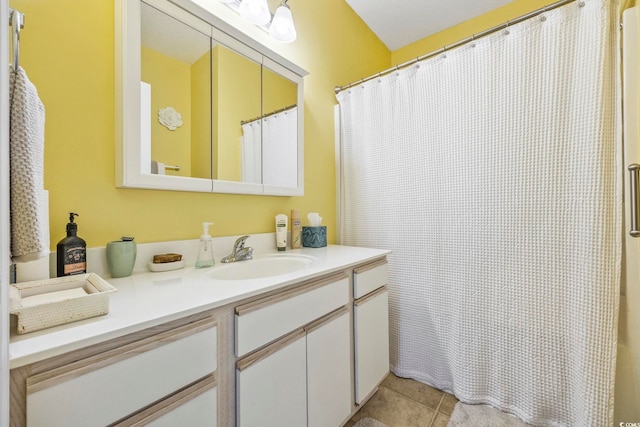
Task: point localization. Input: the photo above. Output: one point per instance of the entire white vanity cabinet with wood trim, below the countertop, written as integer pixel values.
(308, 353)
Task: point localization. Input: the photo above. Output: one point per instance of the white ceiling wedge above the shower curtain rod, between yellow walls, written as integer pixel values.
(401, 22)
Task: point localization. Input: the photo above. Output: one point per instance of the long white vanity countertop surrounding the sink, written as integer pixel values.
(144, 300)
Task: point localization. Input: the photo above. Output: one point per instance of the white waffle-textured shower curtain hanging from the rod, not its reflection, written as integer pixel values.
(493, 172)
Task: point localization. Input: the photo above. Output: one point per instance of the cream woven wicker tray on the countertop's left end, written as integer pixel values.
(76, 298)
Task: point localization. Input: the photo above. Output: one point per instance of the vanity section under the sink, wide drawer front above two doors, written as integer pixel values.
(304, 377)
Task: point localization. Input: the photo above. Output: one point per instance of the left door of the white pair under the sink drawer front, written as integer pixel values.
(272, 385)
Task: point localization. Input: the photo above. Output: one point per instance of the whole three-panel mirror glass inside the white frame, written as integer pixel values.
(211, 112)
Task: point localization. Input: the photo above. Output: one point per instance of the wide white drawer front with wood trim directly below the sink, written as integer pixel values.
(263, 321)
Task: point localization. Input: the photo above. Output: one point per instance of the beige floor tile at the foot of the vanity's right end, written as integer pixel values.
(395, 410)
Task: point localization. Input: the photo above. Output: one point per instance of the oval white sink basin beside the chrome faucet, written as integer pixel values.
(263, 266)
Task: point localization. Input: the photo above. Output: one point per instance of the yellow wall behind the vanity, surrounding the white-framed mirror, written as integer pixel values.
(67, 51)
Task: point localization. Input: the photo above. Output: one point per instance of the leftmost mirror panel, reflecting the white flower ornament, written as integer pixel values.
(175, 72)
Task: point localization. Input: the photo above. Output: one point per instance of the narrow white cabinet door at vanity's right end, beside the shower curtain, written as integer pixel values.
(371, 340)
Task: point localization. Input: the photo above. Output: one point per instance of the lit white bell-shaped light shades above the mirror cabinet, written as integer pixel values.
(281, 27)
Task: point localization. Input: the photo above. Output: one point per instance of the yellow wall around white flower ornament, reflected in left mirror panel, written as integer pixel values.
(170, 82)
